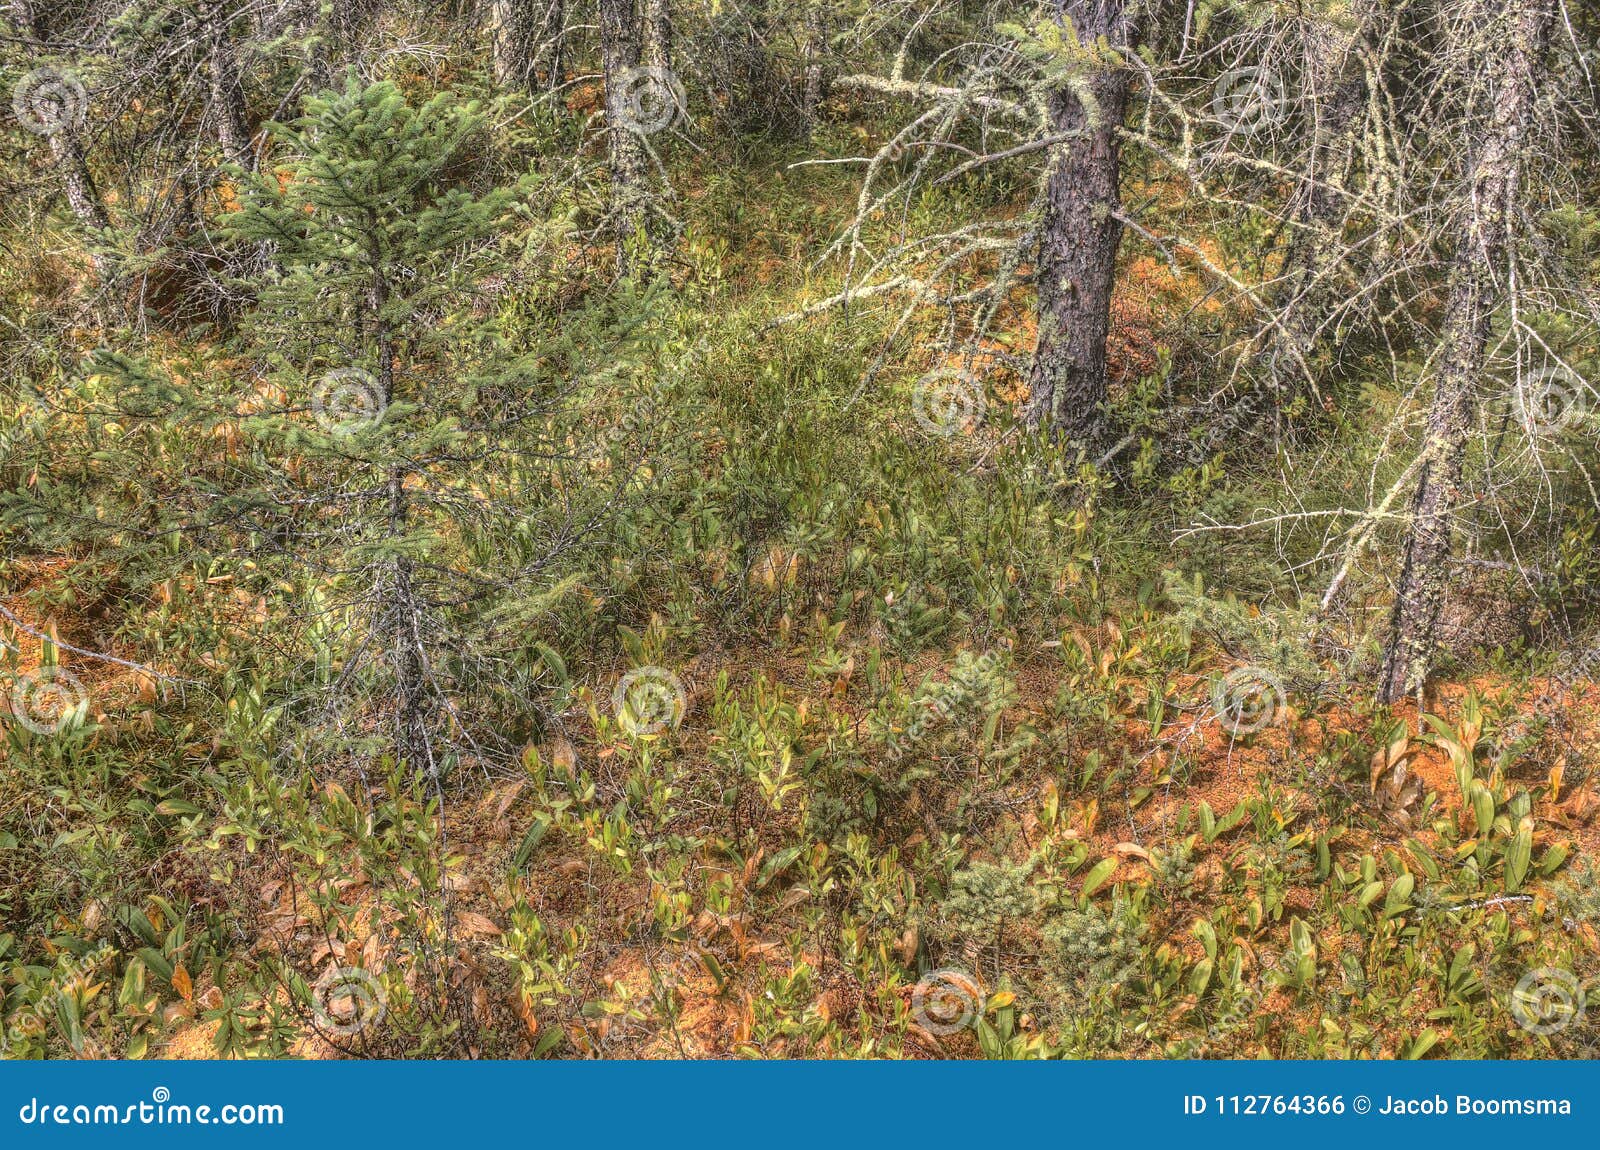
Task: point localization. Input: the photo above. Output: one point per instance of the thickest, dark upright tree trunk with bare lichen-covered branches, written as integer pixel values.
(1081, 236)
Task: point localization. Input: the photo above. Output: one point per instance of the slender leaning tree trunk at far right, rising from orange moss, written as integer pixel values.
(1514, 39)
